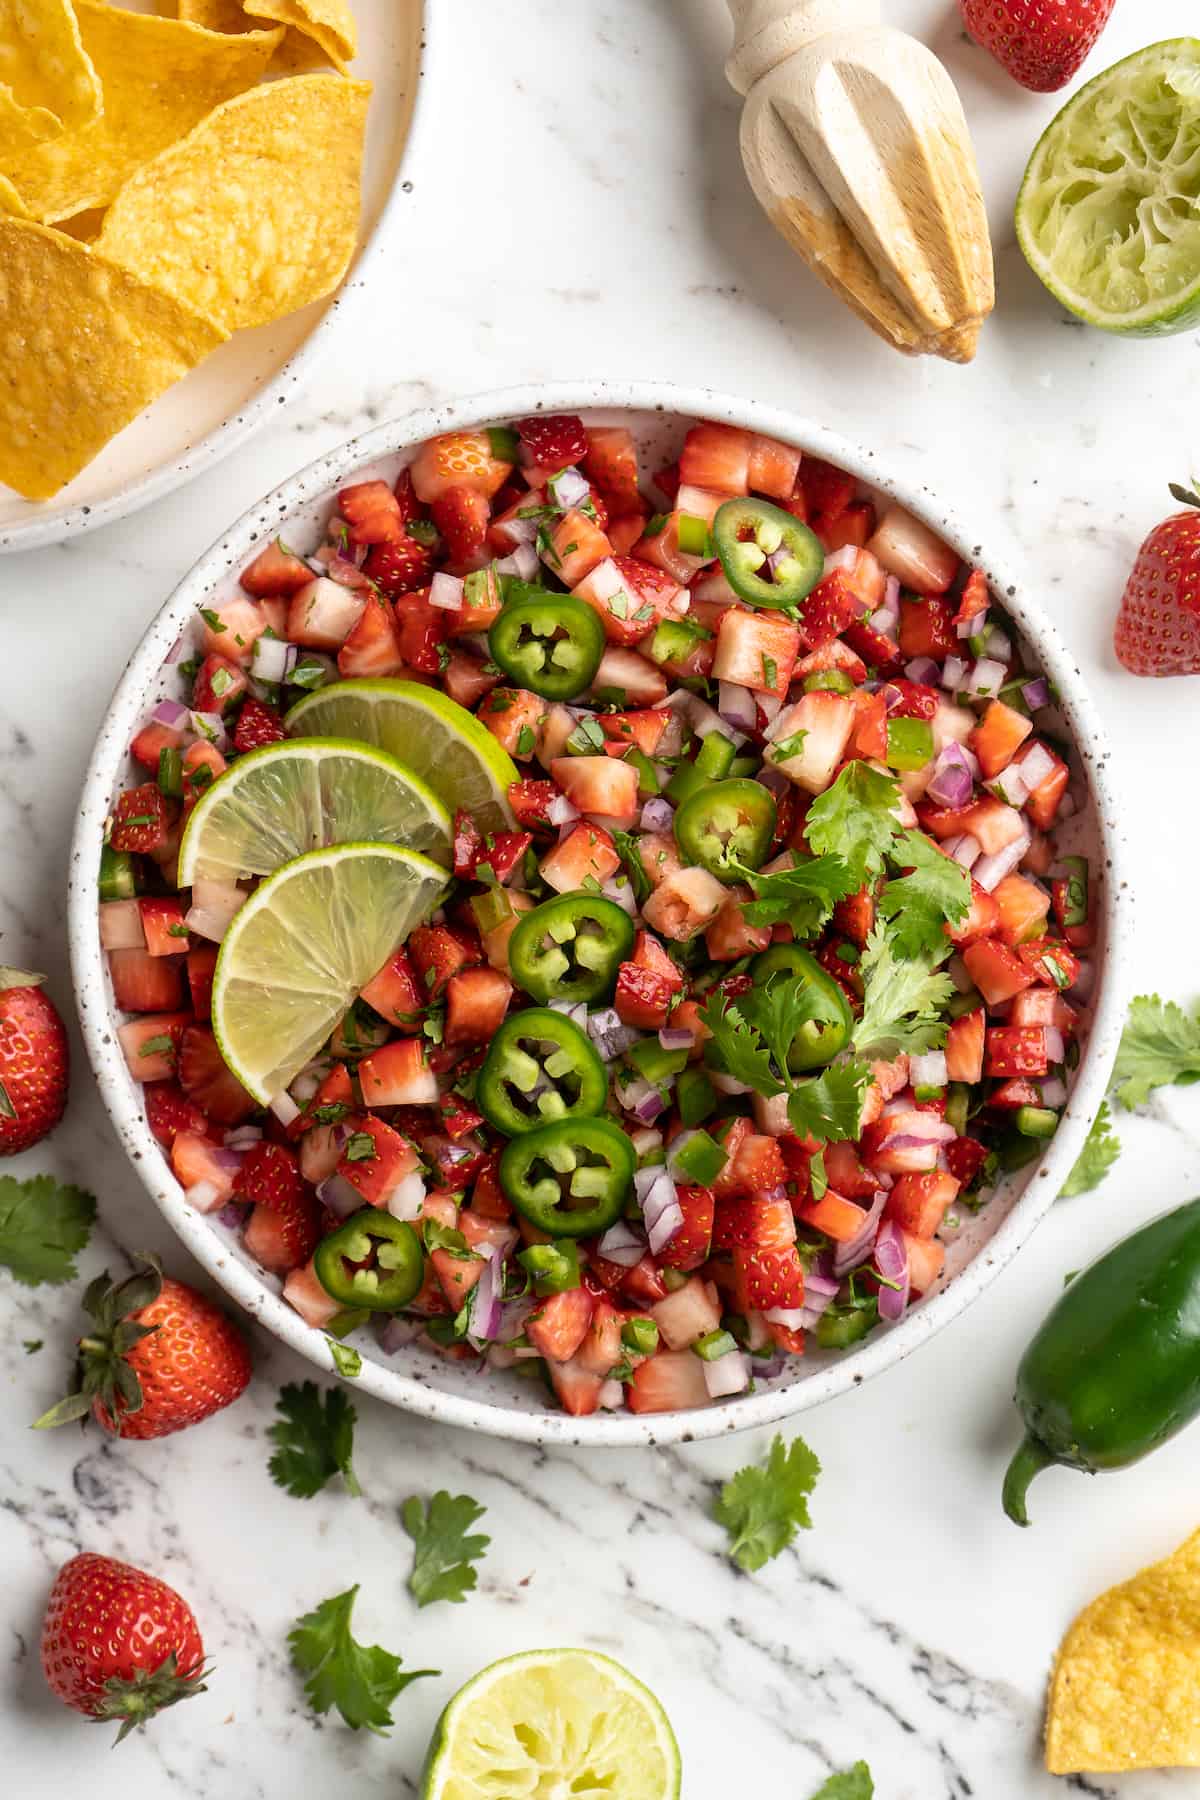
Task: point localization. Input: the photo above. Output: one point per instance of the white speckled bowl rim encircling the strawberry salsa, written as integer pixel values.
(418, 1380)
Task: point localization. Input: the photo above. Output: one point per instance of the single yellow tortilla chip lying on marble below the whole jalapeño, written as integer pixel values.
(1127, 1684)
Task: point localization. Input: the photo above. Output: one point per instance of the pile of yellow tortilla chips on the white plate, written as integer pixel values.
(163, 183)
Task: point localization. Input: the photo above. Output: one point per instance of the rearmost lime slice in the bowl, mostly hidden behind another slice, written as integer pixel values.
(429, 732)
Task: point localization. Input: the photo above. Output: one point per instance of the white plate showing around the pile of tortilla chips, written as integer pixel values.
(237, 390)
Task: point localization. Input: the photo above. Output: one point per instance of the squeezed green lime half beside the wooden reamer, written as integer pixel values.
(1109, 213)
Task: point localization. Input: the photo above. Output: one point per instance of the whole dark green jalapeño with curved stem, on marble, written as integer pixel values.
(1115, 1371)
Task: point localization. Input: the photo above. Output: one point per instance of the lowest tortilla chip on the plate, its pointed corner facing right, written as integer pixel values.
(84, 350)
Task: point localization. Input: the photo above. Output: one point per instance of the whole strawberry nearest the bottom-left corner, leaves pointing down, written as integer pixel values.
(120, 1644)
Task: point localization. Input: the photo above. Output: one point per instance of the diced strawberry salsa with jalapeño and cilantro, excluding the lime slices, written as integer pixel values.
(771, 973)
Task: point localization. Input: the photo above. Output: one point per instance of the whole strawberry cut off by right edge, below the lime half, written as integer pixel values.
(1160, 620)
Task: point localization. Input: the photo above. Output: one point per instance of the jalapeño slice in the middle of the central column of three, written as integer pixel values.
(541, 1068)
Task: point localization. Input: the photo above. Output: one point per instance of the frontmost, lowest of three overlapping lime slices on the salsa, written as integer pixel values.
(303, 948)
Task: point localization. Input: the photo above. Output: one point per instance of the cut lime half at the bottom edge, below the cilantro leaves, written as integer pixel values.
(553, 1723)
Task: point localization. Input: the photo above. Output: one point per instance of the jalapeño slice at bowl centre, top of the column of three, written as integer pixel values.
(569, 949)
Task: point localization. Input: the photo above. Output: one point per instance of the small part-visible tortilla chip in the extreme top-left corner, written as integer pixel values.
(48, 84)
